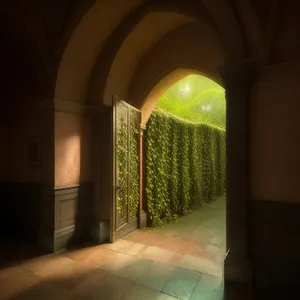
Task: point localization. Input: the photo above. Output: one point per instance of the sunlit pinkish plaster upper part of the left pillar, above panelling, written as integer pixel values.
(72, 149)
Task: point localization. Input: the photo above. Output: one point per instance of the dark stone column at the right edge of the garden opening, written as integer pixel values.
(238, 83)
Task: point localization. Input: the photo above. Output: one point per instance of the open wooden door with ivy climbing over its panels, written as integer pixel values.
(126, 122)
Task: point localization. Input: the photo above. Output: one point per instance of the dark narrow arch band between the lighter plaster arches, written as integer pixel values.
(133, 23)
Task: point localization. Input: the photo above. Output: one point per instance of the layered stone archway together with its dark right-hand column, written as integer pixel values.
(85, 68)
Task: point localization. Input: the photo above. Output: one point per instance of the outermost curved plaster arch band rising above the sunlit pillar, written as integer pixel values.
(85, 44)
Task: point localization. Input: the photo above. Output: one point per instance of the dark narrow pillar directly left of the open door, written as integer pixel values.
(102, 227)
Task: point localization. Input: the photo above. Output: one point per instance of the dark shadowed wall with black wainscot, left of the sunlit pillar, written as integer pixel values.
(20, 198)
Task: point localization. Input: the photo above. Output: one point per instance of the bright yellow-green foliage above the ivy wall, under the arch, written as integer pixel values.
(196, 98)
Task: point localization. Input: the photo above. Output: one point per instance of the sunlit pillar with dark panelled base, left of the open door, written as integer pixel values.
(65, 207)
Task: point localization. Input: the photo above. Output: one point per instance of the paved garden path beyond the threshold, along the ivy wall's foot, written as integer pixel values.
(199, 234)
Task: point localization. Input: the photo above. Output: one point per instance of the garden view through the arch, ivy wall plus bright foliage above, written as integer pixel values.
(185, 150)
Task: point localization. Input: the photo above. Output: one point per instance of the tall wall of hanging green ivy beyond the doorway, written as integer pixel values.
(185, 166)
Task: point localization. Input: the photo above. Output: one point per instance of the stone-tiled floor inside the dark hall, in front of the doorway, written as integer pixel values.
(101, 273)
